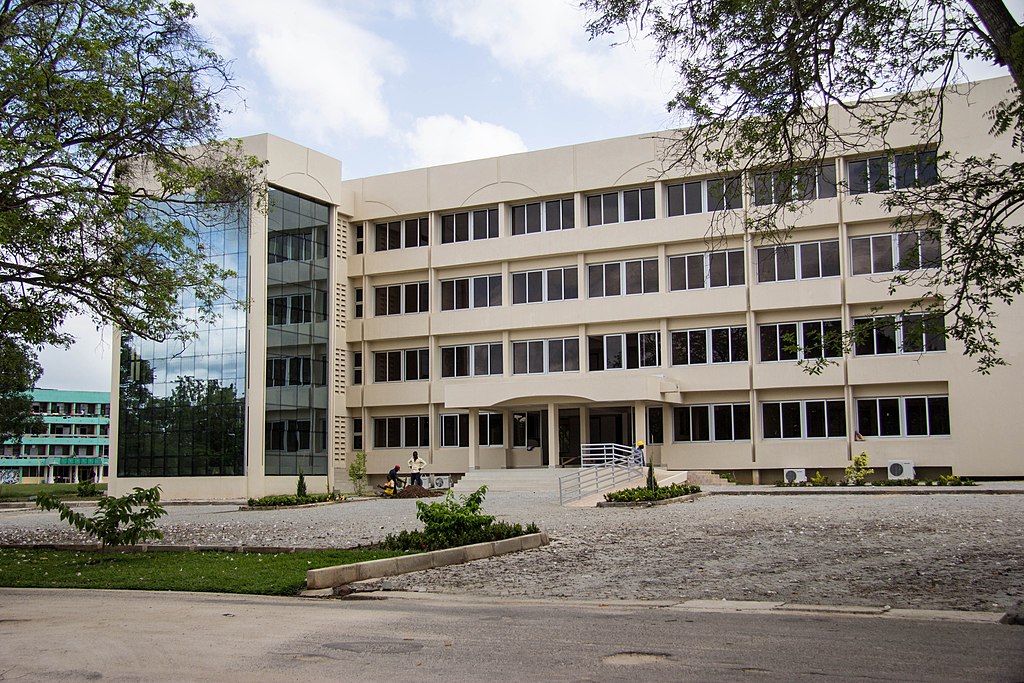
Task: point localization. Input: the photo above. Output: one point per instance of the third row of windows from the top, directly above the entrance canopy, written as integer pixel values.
(884, 335)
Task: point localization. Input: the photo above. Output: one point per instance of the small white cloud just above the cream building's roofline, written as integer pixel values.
(446, 140)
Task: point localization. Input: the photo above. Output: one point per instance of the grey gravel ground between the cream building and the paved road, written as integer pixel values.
(942, 552)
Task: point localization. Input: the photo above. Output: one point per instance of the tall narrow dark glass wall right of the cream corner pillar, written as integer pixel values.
(298, 272)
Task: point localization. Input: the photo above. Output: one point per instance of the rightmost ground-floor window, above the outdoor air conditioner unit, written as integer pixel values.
(922, 416)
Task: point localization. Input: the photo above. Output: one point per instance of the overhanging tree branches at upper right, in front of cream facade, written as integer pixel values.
(782, 87)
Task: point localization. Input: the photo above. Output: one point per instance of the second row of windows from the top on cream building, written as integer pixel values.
(877, 254)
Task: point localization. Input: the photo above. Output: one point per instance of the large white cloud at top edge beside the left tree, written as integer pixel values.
(321, 72)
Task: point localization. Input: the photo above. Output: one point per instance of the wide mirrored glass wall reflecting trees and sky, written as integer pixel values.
(183, 405)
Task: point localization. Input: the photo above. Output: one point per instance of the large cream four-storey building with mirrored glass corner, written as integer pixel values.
(499, 314)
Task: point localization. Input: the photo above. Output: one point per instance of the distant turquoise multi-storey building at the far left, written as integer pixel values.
(74, 444)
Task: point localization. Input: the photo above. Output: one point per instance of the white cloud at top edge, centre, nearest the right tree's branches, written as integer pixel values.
(546, 39)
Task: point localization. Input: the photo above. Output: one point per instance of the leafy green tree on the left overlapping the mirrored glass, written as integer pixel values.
(98, 95)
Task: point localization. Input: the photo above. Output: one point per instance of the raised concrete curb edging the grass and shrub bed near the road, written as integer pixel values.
(329, 578)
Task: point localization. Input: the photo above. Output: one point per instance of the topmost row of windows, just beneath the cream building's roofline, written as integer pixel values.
(875, 175)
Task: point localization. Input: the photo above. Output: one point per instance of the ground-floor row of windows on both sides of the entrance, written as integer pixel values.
(899, 416)
